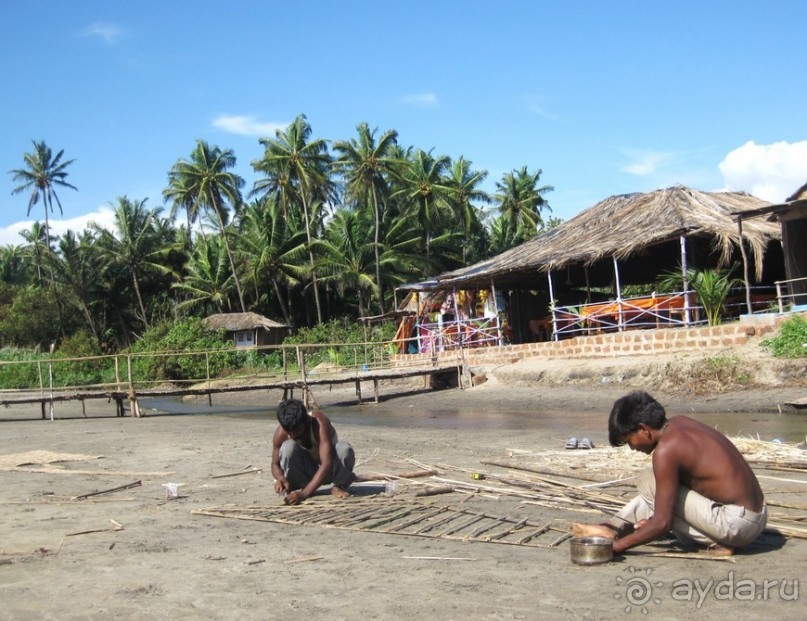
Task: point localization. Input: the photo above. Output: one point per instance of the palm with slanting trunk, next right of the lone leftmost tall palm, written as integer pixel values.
(135, 245)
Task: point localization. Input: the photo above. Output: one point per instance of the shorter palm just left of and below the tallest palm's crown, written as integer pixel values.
(272, 249)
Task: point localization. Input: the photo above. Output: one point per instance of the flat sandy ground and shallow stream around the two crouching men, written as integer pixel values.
(133, 554)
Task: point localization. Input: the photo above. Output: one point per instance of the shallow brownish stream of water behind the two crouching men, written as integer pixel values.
(788, 427)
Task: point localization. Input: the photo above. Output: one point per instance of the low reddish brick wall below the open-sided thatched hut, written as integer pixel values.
(630, 343)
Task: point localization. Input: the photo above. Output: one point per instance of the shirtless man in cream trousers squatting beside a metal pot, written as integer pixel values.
(700, 486)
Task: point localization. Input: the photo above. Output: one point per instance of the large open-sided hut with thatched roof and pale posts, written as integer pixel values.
(624, 239)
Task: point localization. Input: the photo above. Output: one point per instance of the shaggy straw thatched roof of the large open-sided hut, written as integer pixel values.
(623, 225)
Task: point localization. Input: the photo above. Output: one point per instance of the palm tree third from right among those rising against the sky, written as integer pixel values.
(424, 187)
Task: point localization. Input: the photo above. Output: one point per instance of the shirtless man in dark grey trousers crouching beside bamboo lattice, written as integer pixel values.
(306, 454)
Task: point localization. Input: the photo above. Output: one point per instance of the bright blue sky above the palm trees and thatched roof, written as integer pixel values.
(604, 97)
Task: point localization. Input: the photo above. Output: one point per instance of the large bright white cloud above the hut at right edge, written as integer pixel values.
(771, 172)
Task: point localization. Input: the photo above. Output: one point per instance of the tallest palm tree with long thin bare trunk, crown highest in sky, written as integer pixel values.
(298, 167)
